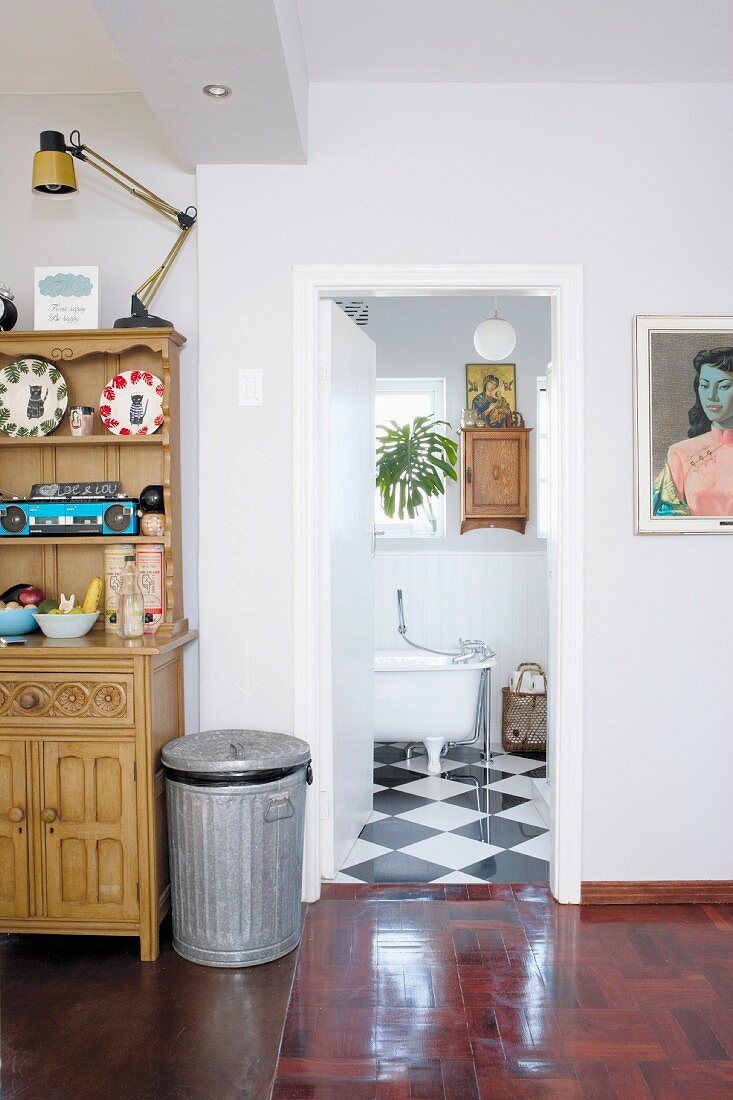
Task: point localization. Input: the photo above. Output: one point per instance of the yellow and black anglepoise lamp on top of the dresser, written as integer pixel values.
(53, 174)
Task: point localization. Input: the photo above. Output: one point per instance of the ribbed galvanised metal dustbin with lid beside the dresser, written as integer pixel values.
(236, 805)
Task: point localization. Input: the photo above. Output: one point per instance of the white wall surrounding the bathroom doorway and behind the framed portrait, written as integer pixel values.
(634, 184)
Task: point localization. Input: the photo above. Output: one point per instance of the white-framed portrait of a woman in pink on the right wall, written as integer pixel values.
(684, 424)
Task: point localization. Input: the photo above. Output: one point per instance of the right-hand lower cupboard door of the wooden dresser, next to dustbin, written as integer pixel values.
(92, 851)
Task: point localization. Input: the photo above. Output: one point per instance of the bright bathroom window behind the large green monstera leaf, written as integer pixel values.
(402, 400)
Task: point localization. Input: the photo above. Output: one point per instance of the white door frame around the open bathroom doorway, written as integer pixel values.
(312, 582)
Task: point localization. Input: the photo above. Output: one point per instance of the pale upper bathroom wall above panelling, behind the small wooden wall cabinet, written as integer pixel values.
(433, 338)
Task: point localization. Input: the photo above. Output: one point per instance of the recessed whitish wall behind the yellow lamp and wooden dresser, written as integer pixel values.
(103, 226)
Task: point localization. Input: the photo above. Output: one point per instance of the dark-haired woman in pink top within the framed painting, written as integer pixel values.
(697, 479)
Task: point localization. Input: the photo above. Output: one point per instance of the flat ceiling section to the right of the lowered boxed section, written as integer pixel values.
(507, 41)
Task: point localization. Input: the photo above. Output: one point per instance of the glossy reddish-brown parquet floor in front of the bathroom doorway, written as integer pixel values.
(485, 993)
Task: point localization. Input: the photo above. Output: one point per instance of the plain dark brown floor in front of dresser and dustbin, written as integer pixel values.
(83, 1019)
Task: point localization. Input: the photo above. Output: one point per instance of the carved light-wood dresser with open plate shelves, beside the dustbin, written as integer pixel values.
(83, 834)
